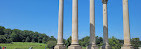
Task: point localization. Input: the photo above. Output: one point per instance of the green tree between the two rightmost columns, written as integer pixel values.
(114, 43)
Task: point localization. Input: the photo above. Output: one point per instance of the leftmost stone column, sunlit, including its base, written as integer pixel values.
(60, 44)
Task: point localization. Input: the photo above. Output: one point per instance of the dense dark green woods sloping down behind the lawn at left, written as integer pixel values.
(16, 35)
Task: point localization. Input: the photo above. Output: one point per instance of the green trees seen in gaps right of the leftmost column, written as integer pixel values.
(113, 42)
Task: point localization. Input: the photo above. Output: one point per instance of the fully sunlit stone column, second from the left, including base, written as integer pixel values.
(75, 44)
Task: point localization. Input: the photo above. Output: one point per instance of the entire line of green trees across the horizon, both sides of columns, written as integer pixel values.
(16, 35)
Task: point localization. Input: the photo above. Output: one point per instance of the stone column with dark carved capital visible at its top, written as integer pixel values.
(105, 26)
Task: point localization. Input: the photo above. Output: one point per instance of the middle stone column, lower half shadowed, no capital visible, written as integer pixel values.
(92, 44)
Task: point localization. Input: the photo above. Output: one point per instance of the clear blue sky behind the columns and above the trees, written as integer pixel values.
(42, 16)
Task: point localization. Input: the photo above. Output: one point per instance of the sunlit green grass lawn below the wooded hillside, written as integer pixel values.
(24, 45)
